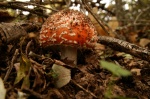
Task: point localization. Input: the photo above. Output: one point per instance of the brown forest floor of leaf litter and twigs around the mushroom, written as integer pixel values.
(88, 79)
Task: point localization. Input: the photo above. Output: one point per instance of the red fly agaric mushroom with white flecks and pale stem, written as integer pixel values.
(70, 29)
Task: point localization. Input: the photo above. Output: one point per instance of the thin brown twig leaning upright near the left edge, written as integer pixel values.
(11, 65)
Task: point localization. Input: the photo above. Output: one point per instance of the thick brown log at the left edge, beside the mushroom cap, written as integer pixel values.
(10, 32)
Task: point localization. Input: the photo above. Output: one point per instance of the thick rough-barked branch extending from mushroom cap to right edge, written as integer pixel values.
(124, 46)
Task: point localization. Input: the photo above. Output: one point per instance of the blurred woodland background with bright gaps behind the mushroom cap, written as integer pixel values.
(129, 18)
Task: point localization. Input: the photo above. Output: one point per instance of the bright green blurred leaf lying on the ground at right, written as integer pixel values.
(115, 69)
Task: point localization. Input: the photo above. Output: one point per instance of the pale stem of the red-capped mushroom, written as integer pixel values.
(69, 53)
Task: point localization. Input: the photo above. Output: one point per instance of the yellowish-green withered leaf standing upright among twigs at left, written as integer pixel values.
(24, 68)
